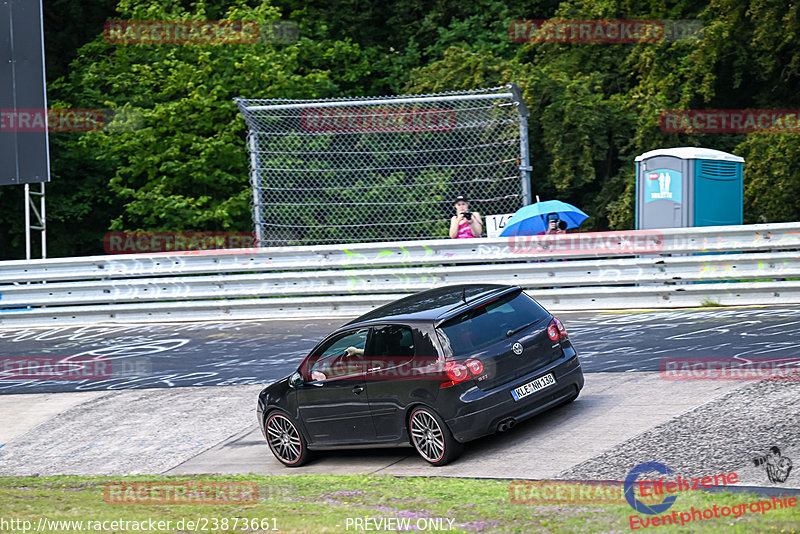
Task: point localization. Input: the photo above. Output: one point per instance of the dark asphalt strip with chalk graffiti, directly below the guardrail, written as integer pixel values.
(260, 352)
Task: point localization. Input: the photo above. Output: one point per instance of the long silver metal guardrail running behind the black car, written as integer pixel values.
(751, 264)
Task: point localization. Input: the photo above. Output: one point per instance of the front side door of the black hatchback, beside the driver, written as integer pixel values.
(332, 402)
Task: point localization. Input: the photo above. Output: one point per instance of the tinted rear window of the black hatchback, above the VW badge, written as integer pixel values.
(485, 325)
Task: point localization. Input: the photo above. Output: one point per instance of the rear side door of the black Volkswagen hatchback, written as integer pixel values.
(401, 366)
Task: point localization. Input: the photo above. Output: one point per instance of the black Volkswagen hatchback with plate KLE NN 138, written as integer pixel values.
(433, 370)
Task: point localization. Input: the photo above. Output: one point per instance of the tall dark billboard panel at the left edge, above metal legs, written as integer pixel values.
(24, 154)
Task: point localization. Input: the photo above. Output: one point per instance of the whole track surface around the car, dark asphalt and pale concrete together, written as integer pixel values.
(194, 409)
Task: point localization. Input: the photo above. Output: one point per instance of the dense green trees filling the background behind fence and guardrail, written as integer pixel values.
(594, 107)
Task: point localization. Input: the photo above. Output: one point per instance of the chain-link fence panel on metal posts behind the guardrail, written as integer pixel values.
(383, 169)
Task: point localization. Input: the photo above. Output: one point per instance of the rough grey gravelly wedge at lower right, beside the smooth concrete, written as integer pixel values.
(721, 436)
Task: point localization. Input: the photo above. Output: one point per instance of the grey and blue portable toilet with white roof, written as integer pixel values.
(688, 186)
